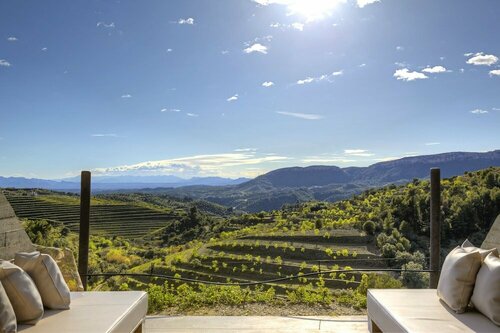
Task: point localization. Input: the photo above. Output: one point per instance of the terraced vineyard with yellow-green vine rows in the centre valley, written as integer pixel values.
(254, 258)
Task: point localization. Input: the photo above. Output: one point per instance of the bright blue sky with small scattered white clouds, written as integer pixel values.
(235, 88)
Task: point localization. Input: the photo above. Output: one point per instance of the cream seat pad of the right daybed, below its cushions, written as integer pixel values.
(420, 310)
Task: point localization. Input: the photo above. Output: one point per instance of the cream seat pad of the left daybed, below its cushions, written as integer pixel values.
(107, 311)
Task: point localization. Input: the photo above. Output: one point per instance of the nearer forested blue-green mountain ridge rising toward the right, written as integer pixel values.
(330, 183)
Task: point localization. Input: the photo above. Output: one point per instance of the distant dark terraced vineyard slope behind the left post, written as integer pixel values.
(107, 217)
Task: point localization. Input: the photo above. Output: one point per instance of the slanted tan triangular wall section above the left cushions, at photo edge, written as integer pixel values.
(13, 238)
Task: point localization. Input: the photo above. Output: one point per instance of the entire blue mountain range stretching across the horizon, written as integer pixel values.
(281, 186)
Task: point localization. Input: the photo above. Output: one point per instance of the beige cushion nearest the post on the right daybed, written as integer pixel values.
(457, 278)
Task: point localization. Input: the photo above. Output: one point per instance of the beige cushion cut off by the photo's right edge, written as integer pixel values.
(486, 295)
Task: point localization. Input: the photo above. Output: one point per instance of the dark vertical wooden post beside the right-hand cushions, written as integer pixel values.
(435, 226)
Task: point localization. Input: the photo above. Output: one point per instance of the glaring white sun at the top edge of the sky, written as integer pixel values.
(312, 10)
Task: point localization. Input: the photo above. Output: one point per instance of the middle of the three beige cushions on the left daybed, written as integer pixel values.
(22, 293)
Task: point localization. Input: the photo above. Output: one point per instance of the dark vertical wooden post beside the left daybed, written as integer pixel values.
(83, 249)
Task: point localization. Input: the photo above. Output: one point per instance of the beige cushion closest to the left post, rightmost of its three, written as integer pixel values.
(47, 277)
